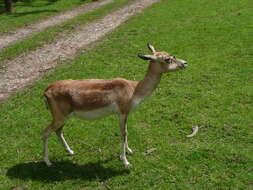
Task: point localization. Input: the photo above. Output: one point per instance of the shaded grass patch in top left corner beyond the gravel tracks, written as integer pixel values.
(28, 11)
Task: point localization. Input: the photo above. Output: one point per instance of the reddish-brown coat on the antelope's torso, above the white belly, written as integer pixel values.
(90, 94)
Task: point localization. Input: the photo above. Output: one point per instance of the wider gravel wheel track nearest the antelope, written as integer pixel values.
(23, 70)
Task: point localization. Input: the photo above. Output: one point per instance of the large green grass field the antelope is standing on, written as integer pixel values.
(215, 37)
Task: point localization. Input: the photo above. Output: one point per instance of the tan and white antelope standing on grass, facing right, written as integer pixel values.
(96, 98)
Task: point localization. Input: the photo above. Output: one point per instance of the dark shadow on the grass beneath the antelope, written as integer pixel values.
(63, 171)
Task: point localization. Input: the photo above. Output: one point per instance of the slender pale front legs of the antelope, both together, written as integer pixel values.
(123, 131)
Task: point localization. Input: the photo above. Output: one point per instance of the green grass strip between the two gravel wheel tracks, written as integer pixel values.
(53, 33)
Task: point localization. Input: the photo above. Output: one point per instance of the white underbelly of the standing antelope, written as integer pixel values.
(97, 113)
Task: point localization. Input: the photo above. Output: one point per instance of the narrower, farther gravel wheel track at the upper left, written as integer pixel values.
(21, 33)
